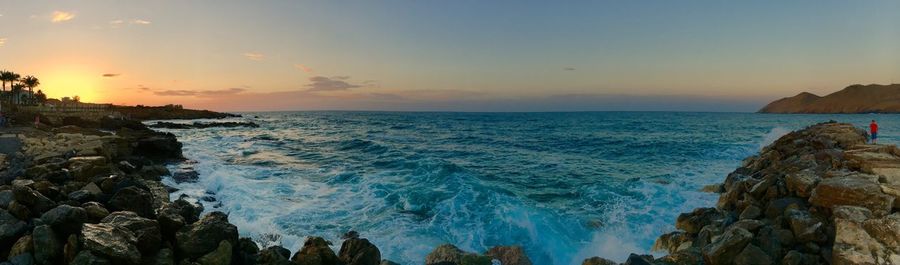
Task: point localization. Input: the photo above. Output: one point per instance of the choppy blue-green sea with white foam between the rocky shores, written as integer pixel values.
(564, 186)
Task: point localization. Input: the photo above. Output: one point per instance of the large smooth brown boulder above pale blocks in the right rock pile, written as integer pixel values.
(852, 190)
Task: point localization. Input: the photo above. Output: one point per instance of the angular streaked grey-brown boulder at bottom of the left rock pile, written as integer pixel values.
(112, 241)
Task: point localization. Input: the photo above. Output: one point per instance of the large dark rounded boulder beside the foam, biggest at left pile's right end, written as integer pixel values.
(204, 236)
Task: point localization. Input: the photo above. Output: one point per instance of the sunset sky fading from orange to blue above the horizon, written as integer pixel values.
(464, 55)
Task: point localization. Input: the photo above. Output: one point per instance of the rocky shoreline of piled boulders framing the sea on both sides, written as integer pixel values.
(94, 196)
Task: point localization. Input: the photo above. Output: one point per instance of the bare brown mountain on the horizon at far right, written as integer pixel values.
(853, 99)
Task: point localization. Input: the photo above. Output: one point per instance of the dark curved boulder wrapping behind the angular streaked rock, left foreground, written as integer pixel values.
(146, 231)
